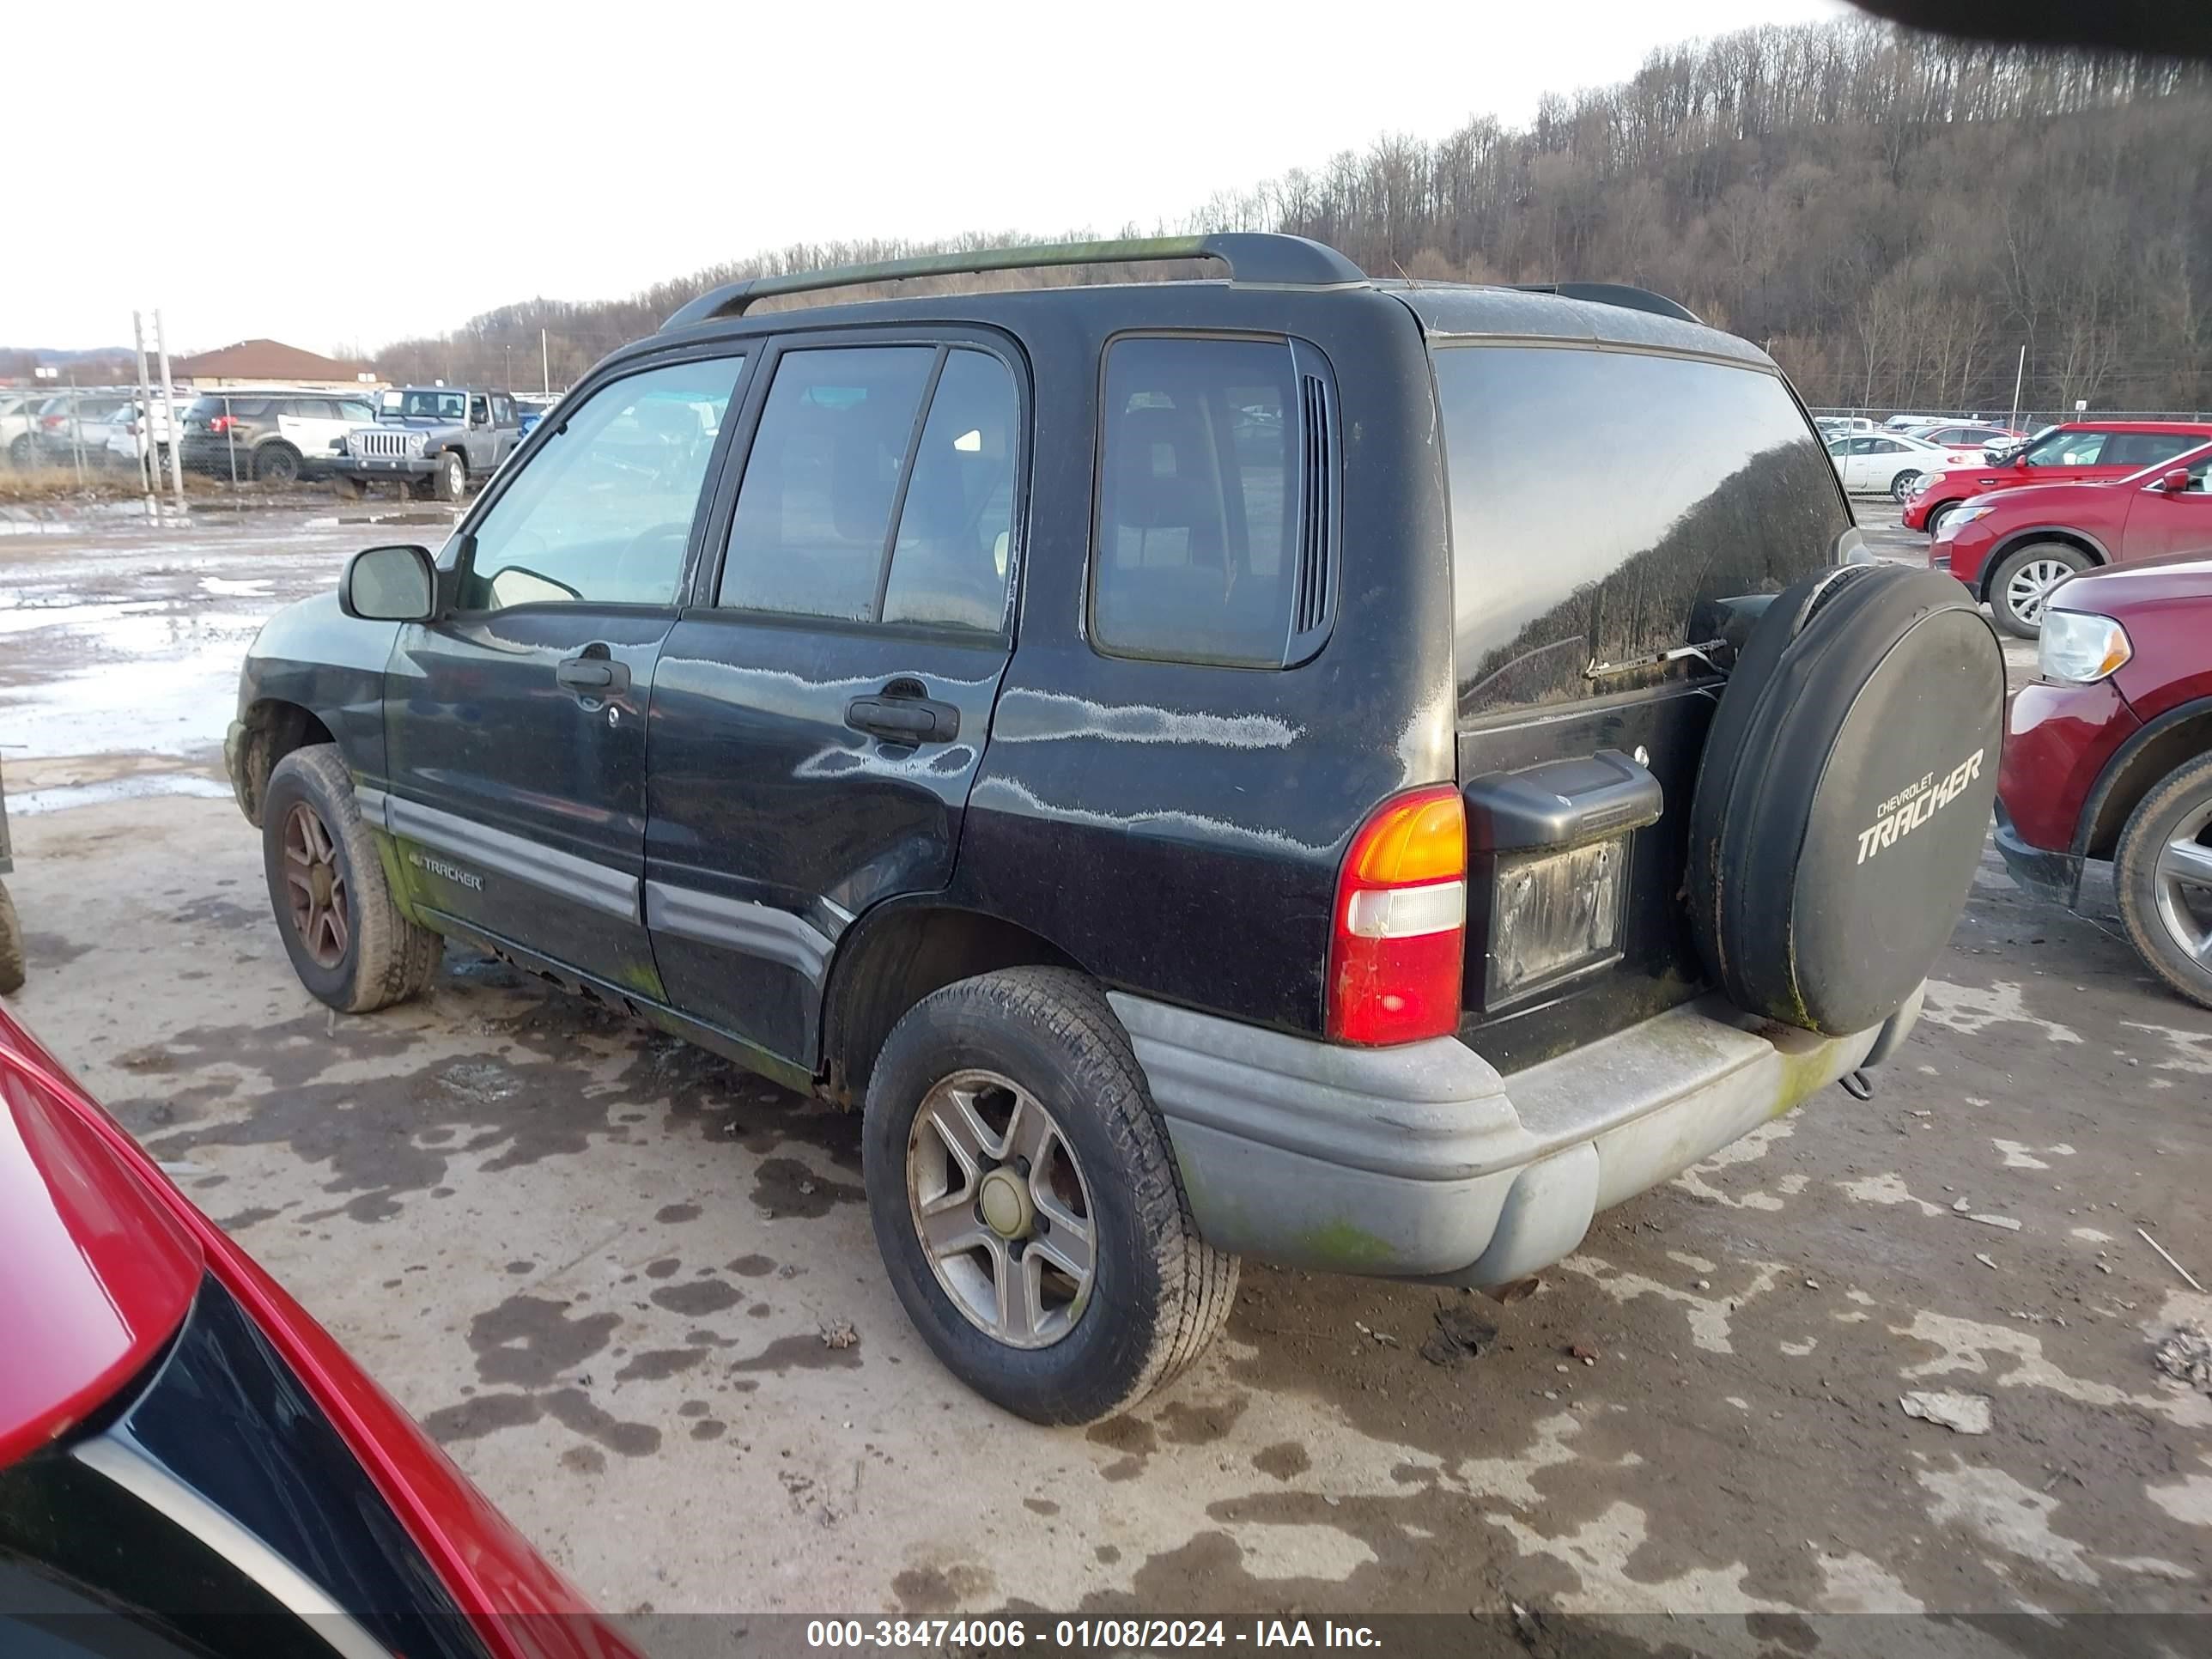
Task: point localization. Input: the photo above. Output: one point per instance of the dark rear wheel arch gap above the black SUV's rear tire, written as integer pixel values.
(893, 959)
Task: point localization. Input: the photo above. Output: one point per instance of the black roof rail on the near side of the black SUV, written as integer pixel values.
(1253, 258)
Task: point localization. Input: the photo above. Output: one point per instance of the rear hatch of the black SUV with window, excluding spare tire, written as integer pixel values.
(1623, 497)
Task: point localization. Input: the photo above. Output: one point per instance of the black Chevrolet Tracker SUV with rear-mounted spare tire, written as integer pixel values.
(1353, 773)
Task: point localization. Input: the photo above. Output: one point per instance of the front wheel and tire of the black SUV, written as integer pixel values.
(346, 935)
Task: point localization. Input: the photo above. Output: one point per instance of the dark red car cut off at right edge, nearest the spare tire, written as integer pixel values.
(2109, 755)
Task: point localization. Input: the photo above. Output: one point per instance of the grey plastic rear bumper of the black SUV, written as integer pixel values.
(1421, 1162)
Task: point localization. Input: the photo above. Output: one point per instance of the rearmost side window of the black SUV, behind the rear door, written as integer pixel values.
(1218, 497)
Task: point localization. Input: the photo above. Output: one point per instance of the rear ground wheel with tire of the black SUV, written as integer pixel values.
(1027, 1202)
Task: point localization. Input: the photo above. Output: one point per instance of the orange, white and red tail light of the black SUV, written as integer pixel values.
(1401, 924)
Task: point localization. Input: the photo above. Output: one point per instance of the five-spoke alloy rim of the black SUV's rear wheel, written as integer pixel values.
(1003, 1209)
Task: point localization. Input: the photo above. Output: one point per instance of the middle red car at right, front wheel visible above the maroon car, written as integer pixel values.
(2016, 545)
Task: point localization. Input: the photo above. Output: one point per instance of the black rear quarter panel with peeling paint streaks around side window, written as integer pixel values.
(1178, 828)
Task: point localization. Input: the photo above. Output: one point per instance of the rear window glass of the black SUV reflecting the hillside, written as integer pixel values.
(1600, 497)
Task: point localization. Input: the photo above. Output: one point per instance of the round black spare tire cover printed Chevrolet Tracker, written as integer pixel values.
(1844, 795)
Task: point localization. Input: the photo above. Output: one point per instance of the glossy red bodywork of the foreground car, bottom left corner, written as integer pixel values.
(103, 1258)
